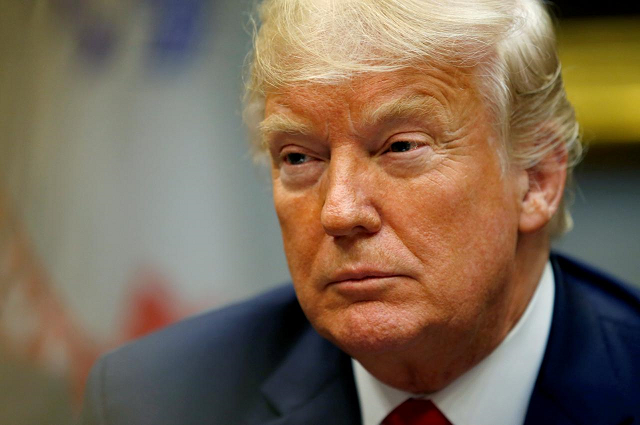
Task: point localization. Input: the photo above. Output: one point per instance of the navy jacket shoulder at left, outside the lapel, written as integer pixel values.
(198, 368)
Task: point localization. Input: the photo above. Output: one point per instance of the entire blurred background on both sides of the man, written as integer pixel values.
(128, 199)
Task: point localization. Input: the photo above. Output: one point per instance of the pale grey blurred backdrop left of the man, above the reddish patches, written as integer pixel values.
(123, 148)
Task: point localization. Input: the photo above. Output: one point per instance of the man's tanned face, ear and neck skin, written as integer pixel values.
(409, 246)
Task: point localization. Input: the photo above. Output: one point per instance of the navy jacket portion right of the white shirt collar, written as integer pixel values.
(590, 372)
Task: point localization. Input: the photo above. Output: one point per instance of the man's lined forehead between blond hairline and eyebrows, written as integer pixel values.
(441, 90)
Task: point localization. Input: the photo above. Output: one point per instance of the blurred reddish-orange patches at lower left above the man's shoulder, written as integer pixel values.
(37, 327)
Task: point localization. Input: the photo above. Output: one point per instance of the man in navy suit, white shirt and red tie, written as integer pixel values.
(419, 152)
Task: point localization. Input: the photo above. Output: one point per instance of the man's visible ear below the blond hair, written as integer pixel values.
(544, 191)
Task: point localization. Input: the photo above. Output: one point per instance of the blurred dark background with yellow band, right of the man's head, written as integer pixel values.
(601, 71)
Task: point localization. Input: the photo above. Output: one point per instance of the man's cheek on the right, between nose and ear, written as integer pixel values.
(463, 232)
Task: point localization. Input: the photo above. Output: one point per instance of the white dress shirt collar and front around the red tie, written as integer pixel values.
(495, 391)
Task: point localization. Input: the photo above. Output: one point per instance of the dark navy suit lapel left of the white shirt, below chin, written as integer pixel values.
(313, 385)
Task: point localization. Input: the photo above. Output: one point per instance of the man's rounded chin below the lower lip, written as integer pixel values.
(370, 328)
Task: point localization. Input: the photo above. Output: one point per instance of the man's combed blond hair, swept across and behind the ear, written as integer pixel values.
(508, 45)
